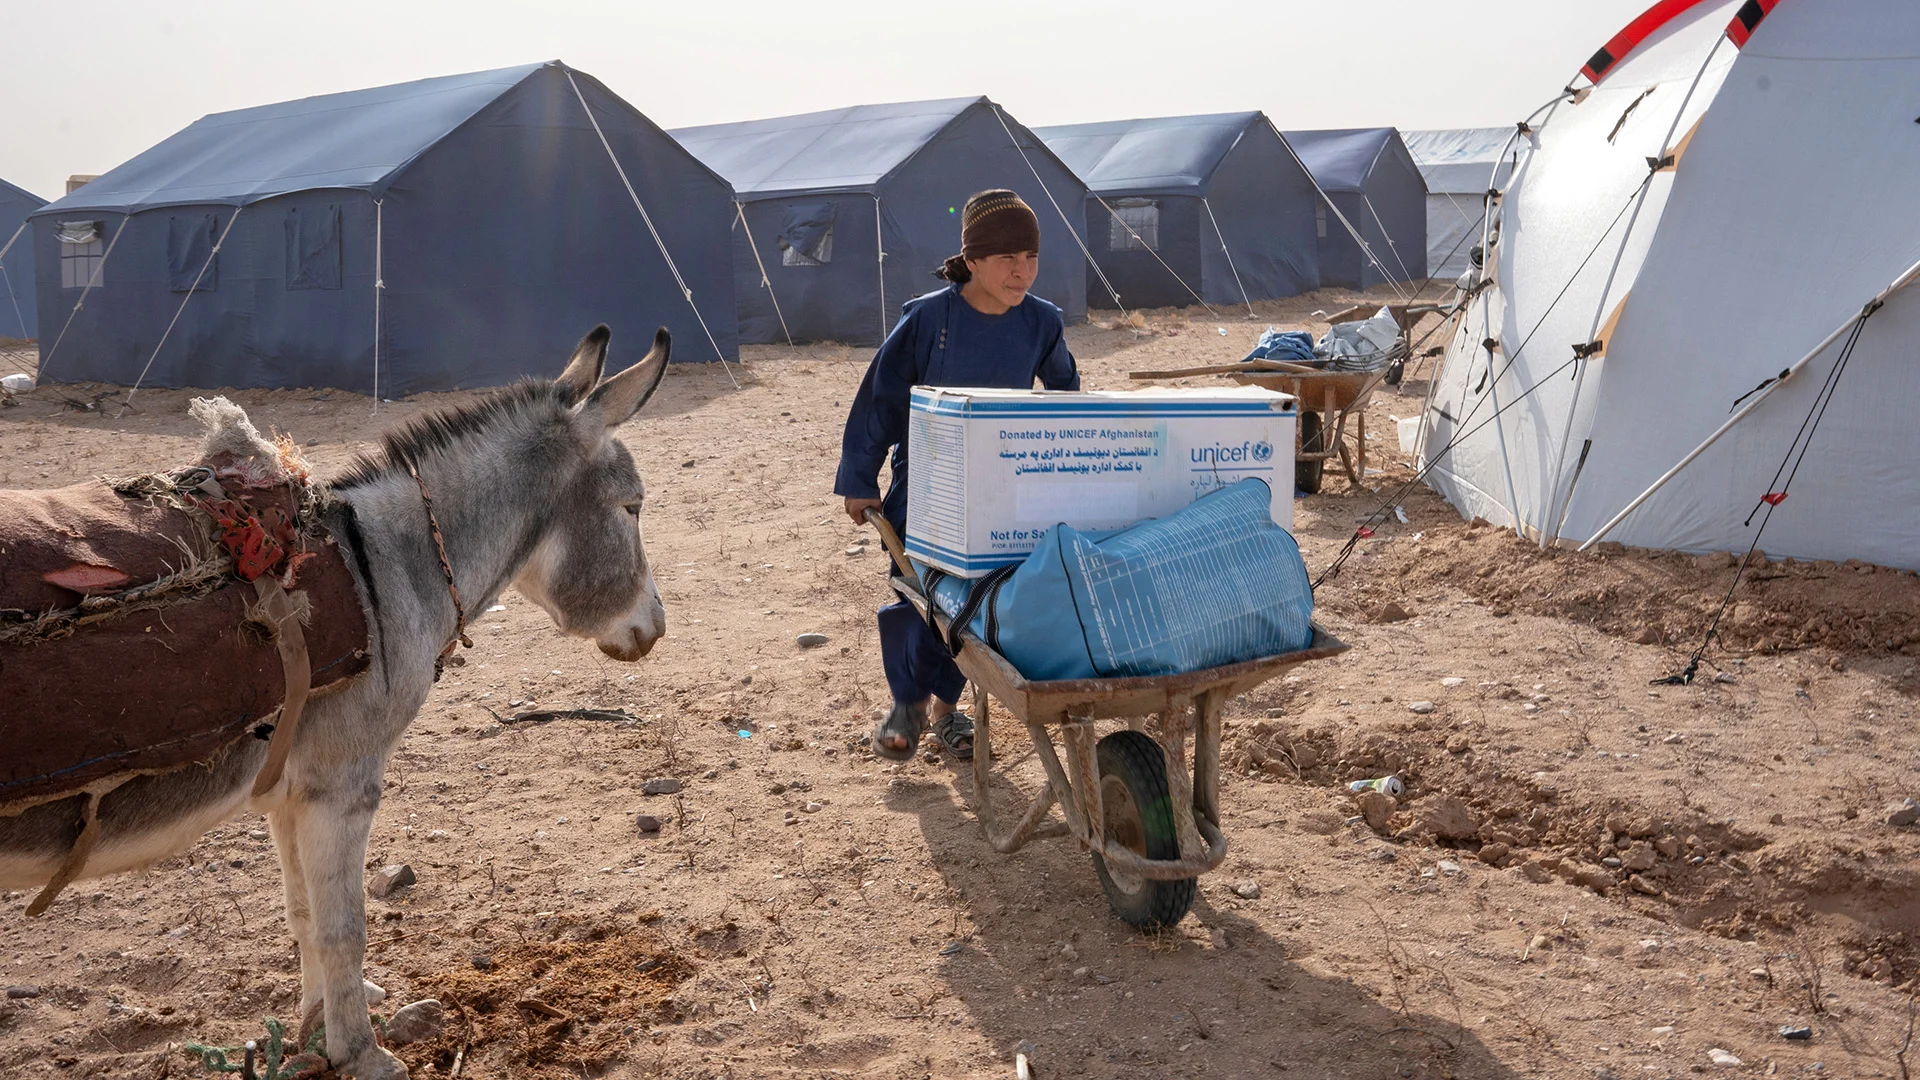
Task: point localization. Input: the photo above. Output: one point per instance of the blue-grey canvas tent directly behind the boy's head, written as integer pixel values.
(817, 189)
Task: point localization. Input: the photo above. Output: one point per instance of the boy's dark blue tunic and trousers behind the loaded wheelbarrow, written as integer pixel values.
(940, 341)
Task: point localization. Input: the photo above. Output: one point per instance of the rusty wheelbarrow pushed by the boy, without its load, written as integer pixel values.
(1128, 795)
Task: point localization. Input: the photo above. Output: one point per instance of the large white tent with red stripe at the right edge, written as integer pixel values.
(1717, 201)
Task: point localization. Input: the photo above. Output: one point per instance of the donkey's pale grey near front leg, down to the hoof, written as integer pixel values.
(331, 841)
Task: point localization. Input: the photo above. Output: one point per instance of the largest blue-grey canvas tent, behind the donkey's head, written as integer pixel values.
(448, 233)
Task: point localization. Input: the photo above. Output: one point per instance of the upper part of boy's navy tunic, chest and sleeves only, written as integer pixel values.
(942, 341)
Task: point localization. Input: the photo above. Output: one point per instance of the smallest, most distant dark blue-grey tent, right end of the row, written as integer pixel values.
(1372, 180)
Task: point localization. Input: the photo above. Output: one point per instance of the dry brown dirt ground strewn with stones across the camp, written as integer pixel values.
(811, 912)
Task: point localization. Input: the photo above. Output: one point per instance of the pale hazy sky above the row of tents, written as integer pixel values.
(93, 84)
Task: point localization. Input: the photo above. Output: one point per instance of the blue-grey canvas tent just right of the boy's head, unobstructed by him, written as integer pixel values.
(1199, 205)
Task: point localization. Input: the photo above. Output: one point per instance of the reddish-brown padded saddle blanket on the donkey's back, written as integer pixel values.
(153, 685)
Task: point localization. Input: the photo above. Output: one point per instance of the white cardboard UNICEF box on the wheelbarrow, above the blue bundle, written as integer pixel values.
(990, 472)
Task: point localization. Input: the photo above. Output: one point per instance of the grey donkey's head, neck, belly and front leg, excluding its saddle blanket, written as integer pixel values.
(527, 489)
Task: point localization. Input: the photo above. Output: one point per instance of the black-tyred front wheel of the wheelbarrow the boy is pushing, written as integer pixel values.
(1140, 816)
